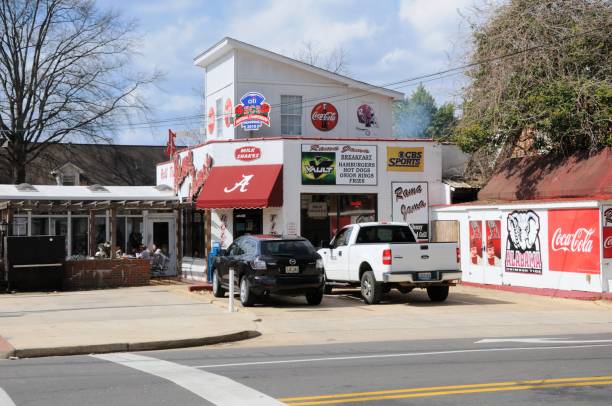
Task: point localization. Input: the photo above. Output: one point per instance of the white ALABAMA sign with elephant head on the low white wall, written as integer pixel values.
(523, 253)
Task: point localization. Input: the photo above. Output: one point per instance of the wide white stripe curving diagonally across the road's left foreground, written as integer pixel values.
(214, 388)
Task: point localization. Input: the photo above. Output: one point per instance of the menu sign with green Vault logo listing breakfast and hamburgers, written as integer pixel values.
(331, 164)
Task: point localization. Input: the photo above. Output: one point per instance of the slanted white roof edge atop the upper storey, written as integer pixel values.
(227, 44)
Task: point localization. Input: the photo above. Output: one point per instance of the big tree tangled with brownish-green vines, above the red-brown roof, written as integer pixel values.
(561, 90)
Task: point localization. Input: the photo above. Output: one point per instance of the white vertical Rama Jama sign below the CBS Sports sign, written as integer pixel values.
(409, 205)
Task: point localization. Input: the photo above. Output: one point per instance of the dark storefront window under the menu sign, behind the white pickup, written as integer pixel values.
(322, 215)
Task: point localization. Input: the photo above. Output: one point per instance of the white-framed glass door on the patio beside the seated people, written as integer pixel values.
(161, 234)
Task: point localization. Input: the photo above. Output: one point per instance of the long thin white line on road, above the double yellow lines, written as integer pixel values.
(407, 354)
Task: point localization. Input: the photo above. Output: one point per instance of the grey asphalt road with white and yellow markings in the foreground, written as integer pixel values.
(574, 370)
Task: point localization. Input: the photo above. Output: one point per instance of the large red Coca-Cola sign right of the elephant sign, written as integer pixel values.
(573, 240)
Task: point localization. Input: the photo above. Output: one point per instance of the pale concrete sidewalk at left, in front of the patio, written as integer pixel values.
(127, 319)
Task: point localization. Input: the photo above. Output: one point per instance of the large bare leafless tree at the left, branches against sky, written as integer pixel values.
(64, 72)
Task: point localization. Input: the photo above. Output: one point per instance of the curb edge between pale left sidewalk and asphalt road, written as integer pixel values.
(126, 347)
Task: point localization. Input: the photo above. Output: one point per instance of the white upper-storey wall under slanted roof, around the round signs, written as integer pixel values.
(241, 72)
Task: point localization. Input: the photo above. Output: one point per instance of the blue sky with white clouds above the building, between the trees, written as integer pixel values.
(386, 41)
